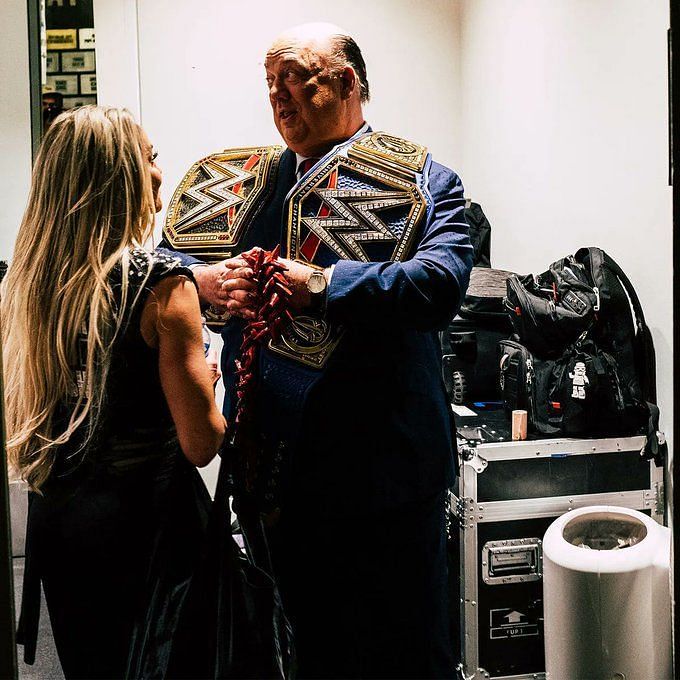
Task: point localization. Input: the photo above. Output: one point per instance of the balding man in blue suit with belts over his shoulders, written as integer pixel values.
(363, 437)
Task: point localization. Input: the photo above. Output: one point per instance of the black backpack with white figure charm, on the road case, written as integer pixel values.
(584, 308)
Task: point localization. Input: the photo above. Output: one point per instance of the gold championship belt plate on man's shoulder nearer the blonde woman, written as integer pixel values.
(215, 202)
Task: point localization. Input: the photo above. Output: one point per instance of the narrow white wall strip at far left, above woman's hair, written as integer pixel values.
(15, 122)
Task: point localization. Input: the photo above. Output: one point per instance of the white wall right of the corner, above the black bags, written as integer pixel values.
(564, 125)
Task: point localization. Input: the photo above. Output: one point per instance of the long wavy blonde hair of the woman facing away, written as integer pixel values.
(90, 202)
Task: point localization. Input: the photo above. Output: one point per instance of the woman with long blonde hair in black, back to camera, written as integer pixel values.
(109, 401)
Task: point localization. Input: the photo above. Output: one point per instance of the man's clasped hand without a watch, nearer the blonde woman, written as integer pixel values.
(227, 286)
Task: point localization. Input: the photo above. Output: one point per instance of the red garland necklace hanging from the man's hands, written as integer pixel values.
(273, 314)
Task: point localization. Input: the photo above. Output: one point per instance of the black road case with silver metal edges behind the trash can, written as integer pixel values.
(509, 493)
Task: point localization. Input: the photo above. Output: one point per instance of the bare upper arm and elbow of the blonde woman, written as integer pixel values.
(171, 321)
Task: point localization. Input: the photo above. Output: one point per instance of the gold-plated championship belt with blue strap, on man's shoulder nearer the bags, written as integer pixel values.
(364, 201)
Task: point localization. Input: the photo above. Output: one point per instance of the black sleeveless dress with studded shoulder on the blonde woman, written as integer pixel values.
(115, 536)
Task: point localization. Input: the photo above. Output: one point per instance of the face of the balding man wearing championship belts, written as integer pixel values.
(306, 96)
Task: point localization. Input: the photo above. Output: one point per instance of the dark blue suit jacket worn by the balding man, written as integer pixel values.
(376, 429)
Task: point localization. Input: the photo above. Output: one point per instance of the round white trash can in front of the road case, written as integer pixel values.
(606, 595)
